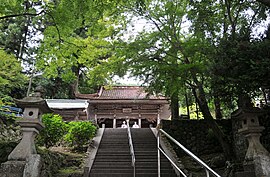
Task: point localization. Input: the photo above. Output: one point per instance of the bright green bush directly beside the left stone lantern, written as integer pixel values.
(53, 132)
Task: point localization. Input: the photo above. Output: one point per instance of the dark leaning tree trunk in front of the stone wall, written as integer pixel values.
(222, 138)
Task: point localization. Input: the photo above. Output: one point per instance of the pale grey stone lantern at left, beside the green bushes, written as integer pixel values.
(24, 160)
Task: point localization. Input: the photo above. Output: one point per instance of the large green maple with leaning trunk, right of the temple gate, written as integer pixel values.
(172, 60)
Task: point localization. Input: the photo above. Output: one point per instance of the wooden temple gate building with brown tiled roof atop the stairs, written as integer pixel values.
(113, 105)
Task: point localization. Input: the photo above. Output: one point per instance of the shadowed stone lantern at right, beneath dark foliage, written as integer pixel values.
(257, 157)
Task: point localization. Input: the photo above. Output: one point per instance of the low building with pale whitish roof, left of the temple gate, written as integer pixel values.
(69, 109)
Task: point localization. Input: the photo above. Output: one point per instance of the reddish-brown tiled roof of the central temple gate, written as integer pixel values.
(125, 92)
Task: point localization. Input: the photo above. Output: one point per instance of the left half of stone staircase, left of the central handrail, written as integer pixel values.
(113, 156)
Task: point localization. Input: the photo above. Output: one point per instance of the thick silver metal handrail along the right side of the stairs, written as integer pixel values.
(207, 169)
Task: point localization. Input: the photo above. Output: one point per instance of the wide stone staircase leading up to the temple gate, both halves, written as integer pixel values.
(113, 158)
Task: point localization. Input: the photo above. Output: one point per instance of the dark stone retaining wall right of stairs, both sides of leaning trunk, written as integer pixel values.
(195, 135)
